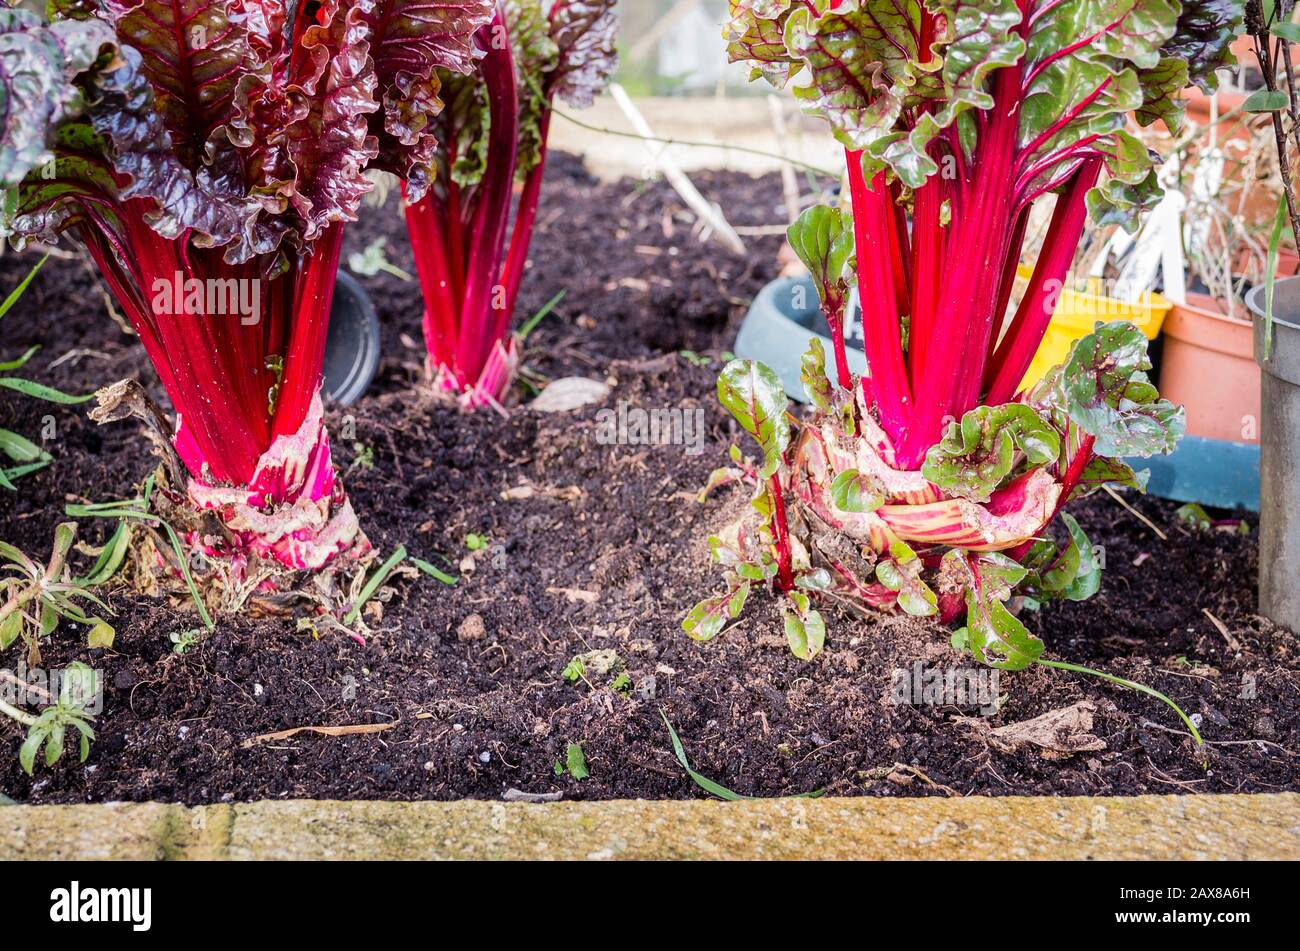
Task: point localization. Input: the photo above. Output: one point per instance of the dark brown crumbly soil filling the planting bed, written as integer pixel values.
(608, 554)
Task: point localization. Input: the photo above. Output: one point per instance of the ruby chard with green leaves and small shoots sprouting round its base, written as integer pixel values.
(929, 484)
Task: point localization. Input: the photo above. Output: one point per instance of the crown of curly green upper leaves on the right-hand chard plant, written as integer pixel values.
(1086, 67)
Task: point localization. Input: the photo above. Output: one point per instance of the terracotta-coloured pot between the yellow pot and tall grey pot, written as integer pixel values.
(1210, 368)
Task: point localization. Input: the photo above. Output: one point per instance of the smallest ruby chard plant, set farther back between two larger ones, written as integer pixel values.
(470, 257)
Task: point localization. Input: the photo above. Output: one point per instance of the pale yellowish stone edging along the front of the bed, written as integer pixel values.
(1138, 828)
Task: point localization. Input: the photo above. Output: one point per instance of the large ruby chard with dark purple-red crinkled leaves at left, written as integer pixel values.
(207, 154)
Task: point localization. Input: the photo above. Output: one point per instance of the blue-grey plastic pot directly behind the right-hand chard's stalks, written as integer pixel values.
(783, 319)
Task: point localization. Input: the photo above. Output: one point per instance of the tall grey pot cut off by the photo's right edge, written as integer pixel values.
(1280, 454)
